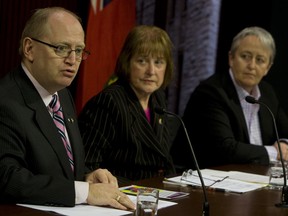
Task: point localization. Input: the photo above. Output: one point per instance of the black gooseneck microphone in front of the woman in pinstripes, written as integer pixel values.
(205, 209)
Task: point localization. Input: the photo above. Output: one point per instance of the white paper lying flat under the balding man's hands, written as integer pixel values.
(87, 210)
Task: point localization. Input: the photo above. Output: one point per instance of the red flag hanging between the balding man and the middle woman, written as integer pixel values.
(109, 22)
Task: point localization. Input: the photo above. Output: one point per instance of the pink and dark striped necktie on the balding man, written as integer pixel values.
(57, 116)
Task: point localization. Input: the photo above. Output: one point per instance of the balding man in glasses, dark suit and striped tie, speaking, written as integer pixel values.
(34, 164)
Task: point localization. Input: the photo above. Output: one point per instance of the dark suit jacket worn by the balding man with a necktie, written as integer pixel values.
(34, 166)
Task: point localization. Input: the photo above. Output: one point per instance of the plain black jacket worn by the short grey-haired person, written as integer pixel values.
(216, 124)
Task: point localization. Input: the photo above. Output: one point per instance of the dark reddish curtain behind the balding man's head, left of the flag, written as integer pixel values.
(14, 14)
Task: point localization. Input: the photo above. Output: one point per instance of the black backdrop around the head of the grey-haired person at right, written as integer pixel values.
(269, 14)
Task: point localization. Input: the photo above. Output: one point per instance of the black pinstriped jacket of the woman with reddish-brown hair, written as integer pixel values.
(117, 135)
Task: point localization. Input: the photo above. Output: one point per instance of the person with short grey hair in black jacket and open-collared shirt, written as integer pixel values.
(223, 127)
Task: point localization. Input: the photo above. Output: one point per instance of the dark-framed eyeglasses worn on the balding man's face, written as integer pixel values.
(64, 50)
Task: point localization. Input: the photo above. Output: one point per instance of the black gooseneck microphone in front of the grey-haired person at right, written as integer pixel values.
(284, 197)
